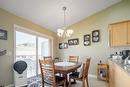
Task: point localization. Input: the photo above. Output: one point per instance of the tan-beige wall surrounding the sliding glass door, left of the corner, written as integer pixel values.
(7, 20)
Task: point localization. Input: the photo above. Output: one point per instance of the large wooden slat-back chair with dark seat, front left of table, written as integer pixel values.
(48, 74)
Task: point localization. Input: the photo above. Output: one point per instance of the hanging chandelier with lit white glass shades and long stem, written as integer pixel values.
(64, 32)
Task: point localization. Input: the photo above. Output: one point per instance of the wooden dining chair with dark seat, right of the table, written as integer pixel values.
(84, 74)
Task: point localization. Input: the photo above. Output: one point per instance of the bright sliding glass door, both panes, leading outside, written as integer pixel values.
(31, 48)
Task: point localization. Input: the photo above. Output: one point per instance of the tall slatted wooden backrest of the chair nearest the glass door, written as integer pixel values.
(47, 71)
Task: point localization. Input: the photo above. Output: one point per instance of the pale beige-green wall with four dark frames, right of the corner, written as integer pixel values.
(97, 51)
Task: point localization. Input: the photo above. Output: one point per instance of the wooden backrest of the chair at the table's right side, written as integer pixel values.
(86, 68)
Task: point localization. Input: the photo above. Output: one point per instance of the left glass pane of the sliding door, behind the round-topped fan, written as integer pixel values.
(26, 50)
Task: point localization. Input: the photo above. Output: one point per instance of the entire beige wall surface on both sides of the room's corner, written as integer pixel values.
(97, 51)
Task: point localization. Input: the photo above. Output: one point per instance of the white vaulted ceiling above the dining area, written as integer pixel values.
(49, 13)
